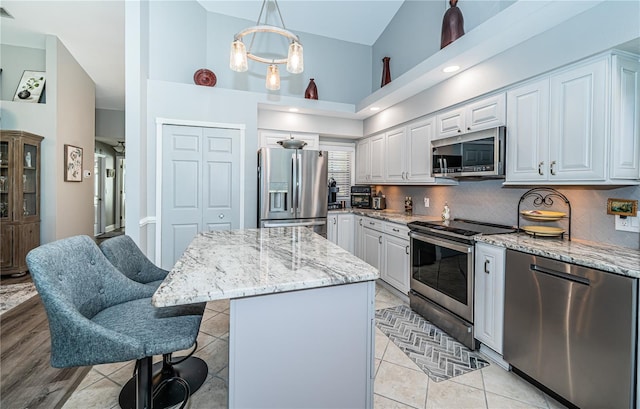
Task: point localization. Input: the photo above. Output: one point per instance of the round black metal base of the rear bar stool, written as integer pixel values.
(193, 370)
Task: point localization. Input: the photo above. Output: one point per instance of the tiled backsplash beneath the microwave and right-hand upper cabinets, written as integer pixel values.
(489, 201)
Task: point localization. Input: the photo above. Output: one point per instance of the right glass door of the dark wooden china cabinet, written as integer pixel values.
(29, 182)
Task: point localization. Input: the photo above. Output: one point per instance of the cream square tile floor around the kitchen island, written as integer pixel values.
(399, 383)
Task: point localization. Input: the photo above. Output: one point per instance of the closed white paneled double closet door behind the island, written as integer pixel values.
(200, 185)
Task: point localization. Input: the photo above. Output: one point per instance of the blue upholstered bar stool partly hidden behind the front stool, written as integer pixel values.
(127, 257)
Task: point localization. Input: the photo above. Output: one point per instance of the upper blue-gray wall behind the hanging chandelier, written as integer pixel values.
(184, 38)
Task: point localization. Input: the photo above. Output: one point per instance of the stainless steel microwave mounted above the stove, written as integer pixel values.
(476, 154)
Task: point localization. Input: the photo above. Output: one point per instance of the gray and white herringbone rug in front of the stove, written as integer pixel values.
(436, 353)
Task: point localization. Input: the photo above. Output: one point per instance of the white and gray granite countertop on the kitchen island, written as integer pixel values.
(242, 263)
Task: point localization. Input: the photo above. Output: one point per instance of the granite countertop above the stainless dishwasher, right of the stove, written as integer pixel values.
(606, 257)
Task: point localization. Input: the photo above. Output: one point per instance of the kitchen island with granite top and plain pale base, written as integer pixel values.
(301, 315)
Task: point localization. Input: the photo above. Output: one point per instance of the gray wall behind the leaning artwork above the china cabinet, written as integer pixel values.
(14, 61)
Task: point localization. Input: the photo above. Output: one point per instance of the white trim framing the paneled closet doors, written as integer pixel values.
(160, 122)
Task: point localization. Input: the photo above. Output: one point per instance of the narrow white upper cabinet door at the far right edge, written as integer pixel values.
(625, 118)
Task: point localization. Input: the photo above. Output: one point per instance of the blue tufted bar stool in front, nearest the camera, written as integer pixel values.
(97, 315)
